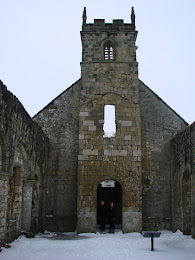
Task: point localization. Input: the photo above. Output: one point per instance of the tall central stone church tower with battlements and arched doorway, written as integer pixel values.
(109, 73)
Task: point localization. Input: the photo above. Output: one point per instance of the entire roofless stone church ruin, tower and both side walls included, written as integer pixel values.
(56, 168)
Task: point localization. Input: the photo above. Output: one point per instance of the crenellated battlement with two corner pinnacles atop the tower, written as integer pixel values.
(116, 25)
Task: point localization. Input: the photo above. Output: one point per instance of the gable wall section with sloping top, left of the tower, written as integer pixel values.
(60, 120)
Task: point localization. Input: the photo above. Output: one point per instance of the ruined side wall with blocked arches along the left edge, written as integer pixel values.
(24, 151)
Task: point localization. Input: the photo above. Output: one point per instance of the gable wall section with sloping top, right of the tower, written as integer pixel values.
(159, 124)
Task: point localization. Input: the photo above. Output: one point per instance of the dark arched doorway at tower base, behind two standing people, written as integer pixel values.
(111, 191)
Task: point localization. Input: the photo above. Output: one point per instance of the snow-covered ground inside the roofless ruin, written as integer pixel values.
(170, 246)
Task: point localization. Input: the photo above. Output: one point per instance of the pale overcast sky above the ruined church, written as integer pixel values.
(40, 47)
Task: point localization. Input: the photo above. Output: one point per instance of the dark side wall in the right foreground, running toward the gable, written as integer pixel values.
(182, 156)
